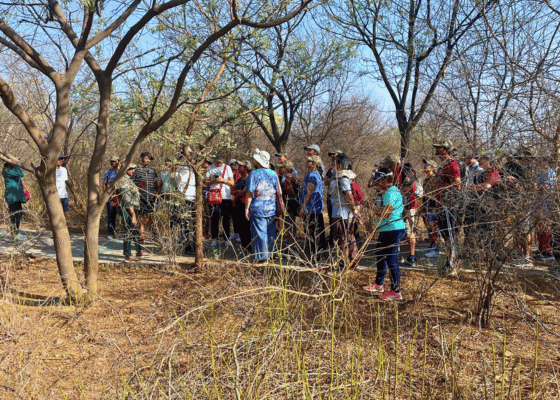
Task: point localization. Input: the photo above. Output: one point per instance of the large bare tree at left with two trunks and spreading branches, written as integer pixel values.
(60, 39)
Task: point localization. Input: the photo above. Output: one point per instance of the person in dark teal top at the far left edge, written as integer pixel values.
(14, 196)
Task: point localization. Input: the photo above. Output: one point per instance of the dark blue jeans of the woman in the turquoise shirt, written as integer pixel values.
(388, 254)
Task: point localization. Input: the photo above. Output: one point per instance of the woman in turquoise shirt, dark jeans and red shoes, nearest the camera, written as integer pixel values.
(392, 230)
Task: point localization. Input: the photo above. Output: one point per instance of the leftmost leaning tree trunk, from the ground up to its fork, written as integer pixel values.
(61, 239)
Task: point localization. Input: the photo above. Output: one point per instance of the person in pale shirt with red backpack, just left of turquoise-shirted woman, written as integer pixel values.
(344, 211)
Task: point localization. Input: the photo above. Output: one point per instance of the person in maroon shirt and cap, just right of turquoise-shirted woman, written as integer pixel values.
(449, 183)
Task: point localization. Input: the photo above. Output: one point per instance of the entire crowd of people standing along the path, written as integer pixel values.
(261, 196)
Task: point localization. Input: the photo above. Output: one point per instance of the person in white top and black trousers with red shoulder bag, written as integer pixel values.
(220, 177)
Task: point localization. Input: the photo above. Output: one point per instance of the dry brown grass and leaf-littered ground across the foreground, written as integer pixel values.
(232, 331)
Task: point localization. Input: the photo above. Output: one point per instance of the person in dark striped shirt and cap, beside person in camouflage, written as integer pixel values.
(149, 185)
